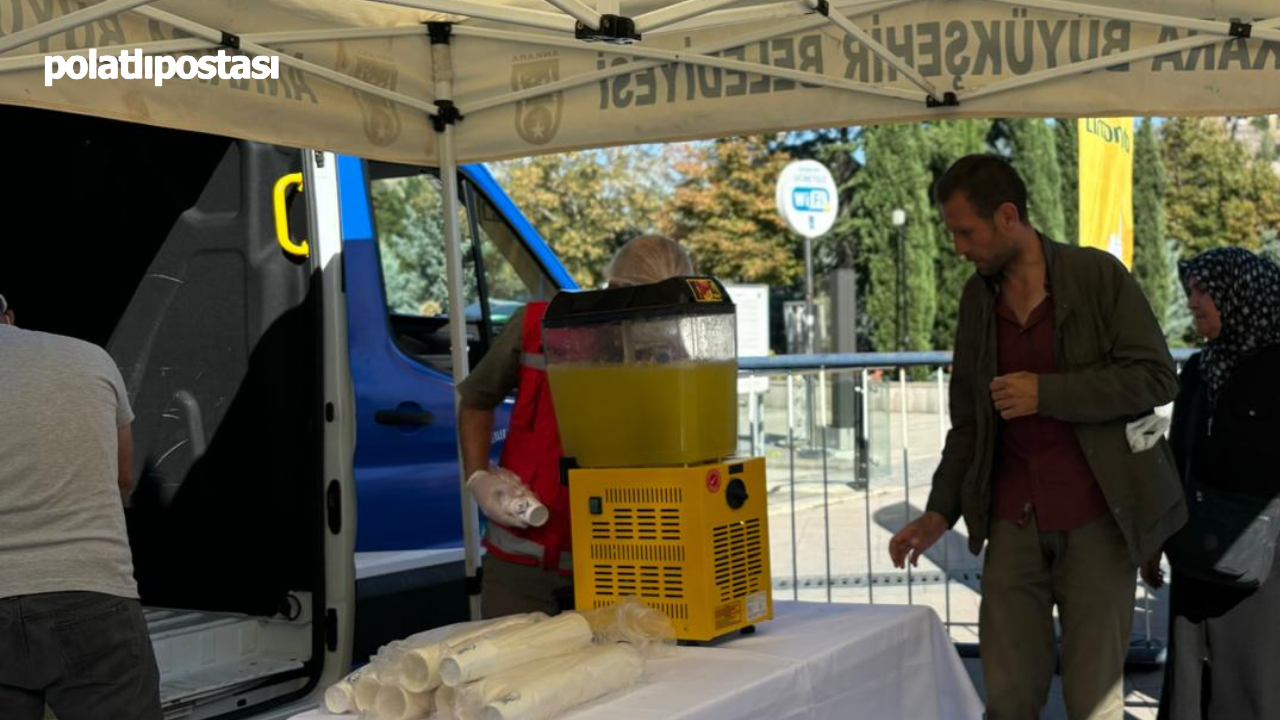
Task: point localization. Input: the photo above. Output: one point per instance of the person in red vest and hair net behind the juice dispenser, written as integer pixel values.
(529, 567)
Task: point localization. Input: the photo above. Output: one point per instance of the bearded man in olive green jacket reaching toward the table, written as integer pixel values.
(1057, 350)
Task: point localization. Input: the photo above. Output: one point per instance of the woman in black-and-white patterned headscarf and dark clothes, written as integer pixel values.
(1224, 637)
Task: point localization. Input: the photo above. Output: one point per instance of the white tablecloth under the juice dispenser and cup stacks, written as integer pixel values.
(815, 662)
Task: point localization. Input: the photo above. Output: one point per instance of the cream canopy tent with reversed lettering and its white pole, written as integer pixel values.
(484, 80)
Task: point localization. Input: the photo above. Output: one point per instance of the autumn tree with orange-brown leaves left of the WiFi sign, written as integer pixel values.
(724, 212)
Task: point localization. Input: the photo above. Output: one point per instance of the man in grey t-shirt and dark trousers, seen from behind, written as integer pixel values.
(72, 631)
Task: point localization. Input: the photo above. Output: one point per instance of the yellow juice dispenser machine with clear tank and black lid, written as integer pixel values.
(644, 381)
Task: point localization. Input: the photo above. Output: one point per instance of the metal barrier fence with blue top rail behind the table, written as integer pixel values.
(851, 444)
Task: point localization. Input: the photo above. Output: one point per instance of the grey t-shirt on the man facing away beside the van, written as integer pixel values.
(62, 521)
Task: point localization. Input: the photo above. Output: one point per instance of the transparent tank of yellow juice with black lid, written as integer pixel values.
(644, 376)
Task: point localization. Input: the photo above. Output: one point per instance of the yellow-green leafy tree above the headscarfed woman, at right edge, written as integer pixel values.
(1218, 194)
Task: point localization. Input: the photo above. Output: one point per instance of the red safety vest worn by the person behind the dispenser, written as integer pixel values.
(533, 452)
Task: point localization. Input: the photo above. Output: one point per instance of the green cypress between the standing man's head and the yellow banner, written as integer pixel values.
(1031, 149)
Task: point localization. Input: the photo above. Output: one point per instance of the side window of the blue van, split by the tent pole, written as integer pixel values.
(500, 274)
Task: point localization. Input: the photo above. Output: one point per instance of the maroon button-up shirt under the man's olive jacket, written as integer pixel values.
(1040, 466)
